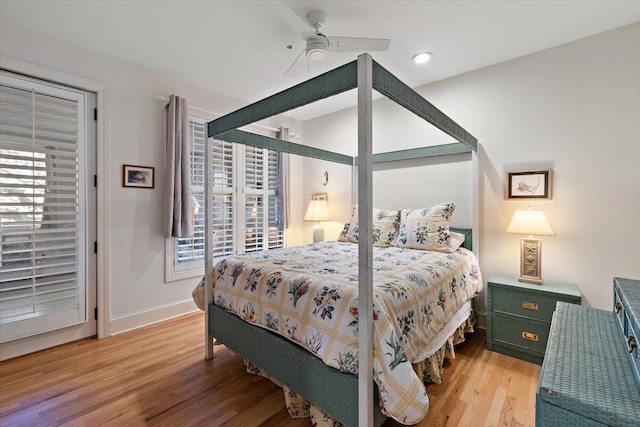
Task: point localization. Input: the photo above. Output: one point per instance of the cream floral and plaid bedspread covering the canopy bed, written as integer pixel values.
(309, 294)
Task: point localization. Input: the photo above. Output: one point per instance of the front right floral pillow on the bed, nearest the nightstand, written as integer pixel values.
(426, 228)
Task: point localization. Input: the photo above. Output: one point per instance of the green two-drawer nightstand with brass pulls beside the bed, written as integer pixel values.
(519, 314)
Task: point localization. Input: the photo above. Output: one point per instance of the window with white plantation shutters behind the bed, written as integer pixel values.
(247, 203)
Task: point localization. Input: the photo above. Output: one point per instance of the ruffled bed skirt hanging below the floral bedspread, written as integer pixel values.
(430, 370)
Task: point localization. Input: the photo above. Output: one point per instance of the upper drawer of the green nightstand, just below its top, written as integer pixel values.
(524, 304)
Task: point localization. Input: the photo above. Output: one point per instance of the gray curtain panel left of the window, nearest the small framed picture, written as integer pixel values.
(178, 169)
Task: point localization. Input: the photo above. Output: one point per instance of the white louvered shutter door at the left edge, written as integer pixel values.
(47, 214)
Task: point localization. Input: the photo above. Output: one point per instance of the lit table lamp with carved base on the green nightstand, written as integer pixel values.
(532, 223)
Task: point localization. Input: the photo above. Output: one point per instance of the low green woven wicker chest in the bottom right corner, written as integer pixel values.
(586, 376)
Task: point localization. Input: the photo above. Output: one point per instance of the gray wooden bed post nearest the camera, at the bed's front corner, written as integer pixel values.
(365, 251)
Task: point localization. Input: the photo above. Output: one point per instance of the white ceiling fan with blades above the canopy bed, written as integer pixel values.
(318, 45)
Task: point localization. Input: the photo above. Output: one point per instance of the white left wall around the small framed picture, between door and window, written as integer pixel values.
(135, 131)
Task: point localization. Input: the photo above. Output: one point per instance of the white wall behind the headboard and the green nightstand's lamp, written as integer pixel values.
(574, 108)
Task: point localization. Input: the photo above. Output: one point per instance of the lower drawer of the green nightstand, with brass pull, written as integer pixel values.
(517, 333)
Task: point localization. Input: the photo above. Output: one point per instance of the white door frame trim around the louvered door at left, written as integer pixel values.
(102, 218)
